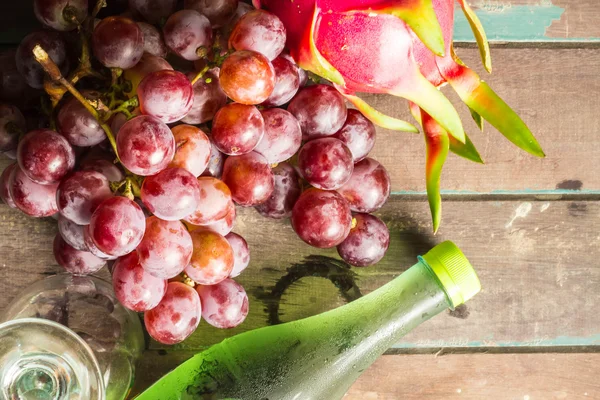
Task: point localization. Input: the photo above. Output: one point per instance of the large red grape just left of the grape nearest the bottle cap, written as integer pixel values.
(322, 219)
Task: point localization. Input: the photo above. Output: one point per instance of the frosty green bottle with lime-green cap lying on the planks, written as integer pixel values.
(318, 358)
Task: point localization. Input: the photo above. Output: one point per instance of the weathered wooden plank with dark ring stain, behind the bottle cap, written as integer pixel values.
(537, 262)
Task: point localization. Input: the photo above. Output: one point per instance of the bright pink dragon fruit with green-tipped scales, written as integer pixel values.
(403, 48)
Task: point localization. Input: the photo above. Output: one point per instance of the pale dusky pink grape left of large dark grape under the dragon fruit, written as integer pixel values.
(282, 137)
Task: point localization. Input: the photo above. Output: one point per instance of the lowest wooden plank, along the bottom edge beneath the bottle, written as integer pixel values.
(541, 376)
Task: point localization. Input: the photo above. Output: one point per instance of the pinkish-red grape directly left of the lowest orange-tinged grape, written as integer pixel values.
(166, 248)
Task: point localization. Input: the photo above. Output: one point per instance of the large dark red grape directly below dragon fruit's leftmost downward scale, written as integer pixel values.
(320, 109)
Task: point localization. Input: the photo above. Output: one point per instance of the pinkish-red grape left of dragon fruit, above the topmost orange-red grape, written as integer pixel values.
(260, 31)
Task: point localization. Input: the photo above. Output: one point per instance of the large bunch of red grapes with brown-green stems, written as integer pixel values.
(158, 122)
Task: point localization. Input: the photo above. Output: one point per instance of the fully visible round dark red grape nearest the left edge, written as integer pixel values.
(45, 156)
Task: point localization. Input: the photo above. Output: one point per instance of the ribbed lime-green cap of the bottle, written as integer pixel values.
(454, 271)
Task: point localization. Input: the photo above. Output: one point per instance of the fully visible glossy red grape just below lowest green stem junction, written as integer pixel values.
(117, 226)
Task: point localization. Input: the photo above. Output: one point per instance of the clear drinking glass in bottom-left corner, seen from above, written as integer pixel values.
(91, 318)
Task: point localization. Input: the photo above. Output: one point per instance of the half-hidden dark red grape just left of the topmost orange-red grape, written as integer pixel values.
(208, 98)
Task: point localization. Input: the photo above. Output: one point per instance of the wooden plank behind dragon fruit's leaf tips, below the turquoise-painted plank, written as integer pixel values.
(559, 106)
